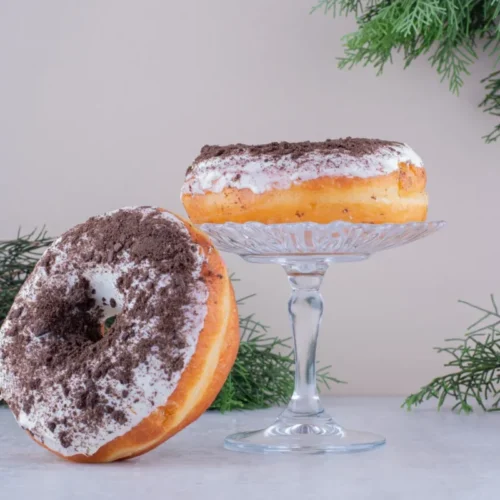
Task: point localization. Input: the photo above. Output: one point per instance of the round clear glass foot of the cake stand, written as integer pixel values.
(309, 435)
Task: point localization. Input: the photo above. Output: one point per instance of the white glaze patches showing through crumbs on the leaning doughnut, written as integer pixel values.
(150, 387)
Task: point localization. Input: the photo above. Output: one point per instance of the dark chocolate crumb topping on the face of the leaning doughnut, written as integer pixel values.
(56, 342)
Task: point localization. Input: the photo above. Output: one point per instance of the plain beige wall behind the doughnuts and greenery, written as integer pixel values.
(104, 104)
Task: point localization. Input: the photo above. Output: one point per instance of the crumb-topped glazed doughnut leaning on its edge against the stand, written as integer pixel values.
(122, 335)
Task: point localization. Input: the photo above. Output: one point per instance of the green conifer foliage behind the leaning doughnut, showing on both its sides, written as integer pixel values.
(262, 375)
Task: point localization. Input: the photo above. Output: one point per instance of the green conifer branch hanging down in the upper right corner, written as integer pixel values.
(448, 32)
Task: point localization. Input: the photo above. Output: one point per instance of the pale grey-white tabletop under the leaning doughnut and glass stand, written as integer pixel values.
(428, 456)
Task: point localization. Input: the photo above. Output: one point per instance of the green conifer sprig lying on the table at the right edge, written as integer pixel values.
(476, 367)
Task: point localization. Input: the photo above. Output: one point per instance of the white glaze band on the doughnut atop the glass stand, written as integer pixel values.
(260, 174)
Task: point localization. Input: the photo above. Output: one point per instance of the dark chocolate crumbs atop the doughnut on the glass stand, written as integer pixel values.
(349, 146)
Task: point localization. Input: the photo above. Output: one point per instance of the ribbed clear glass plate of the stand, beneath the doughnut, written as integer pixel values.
(311, 238)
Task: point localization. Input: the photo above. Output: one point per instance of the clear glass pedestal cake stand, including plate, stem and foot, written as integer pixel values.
(305, 251)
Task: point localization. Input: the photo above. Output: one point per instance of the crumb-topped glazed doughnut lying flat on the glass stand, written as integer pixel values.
(354, 180)
